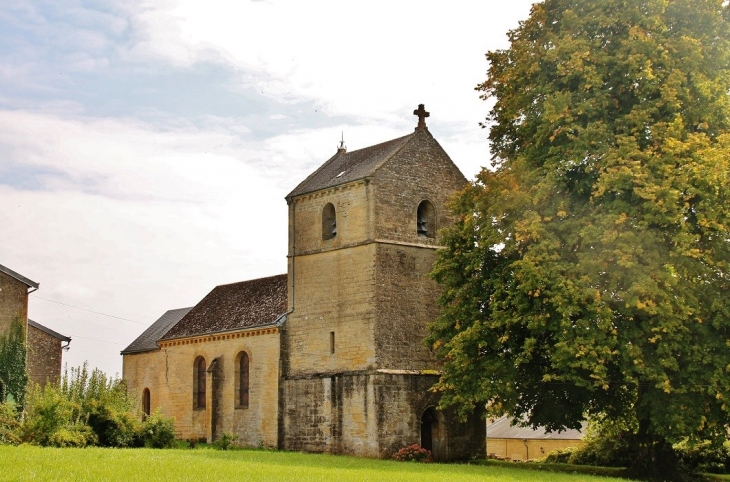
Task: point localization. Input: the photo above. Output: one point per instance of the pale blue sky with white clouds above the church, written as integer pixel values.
(146, 147)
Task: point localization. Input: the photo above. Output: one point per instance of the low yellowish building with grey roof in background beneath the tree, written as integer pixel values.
(508, 441)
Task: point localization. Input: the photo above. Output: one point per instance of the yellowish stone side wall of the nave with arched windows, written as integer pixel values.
(168, 374)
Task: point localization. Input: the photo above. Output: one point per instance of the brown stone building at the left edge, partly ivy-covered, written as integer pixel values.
(44, 345)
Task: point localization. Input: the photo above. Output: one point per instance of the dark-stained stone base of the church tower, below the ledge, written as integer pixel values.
(373, 414)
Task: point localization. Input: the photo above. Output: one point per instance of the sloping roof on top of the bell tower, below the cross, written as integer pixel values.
(345, 167)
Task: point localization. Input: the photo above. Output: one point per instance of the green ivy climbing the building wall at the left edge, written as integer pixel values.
(13, 372)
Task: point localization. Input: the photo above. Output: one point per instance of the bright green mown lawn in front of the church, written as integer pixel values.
(28, 463)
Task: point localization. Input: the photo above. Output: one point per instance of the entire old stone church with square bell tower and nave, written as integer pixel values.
(328, 357)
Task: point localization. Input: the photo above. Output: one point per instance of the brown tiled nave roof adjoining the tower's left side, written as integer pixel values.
(231, 307)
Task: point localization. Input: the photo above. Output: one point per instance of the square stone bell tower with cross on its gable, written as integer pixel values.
(362, 240)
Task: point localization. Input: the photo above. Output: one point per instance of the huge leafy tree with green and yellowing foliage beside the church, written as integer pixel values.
(588, 272)
